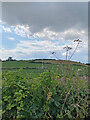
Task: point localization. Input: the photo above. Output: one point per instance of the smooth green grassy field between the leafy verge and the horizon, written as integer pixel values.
(34, 68)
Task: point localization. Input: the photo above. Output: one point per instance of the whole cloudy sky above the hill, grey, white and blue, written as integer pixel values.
(34, 30)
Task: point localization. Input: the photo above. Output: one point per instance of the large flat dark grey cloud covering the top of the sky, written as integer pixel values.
(56, 16)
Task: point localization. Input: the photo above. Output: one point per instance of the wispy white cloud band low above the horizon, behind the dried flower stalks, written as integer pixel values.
(39, 48)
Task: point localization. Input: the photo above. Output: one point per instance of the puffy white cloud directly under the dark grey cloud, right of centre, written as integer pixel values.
(69, 34)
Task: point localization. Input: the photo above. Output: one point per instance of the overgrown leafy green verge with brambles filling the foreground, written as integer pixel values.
(48, 96)
